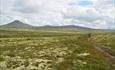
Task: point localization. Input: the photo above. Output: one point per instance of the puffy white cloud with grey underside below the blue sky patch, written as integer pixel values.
(87, 15)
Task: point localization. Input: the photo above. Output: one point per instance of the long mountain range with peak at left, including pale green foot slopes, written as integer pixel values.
(20, 25)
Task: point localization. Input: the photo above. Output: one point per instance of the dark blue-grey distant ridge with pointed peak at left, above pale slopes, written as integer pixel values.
(19, 24)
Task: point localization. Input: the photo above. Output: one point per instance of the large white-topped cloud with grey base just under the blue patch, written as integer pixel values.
(82, 13)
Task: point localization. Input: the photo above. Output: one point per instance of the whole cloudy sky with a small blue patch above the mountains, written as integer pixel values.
(98, 14)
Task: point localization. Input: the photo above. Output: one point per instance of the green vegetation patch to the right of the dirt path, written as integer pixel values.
(107, 40)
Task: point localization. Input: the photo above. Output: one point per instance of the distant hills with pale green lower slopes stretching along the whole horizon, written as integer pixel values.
(20, 25)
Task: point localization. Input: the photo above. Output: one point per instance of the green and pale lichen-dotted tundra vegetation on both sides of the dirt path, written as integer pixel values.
(53, 50)
